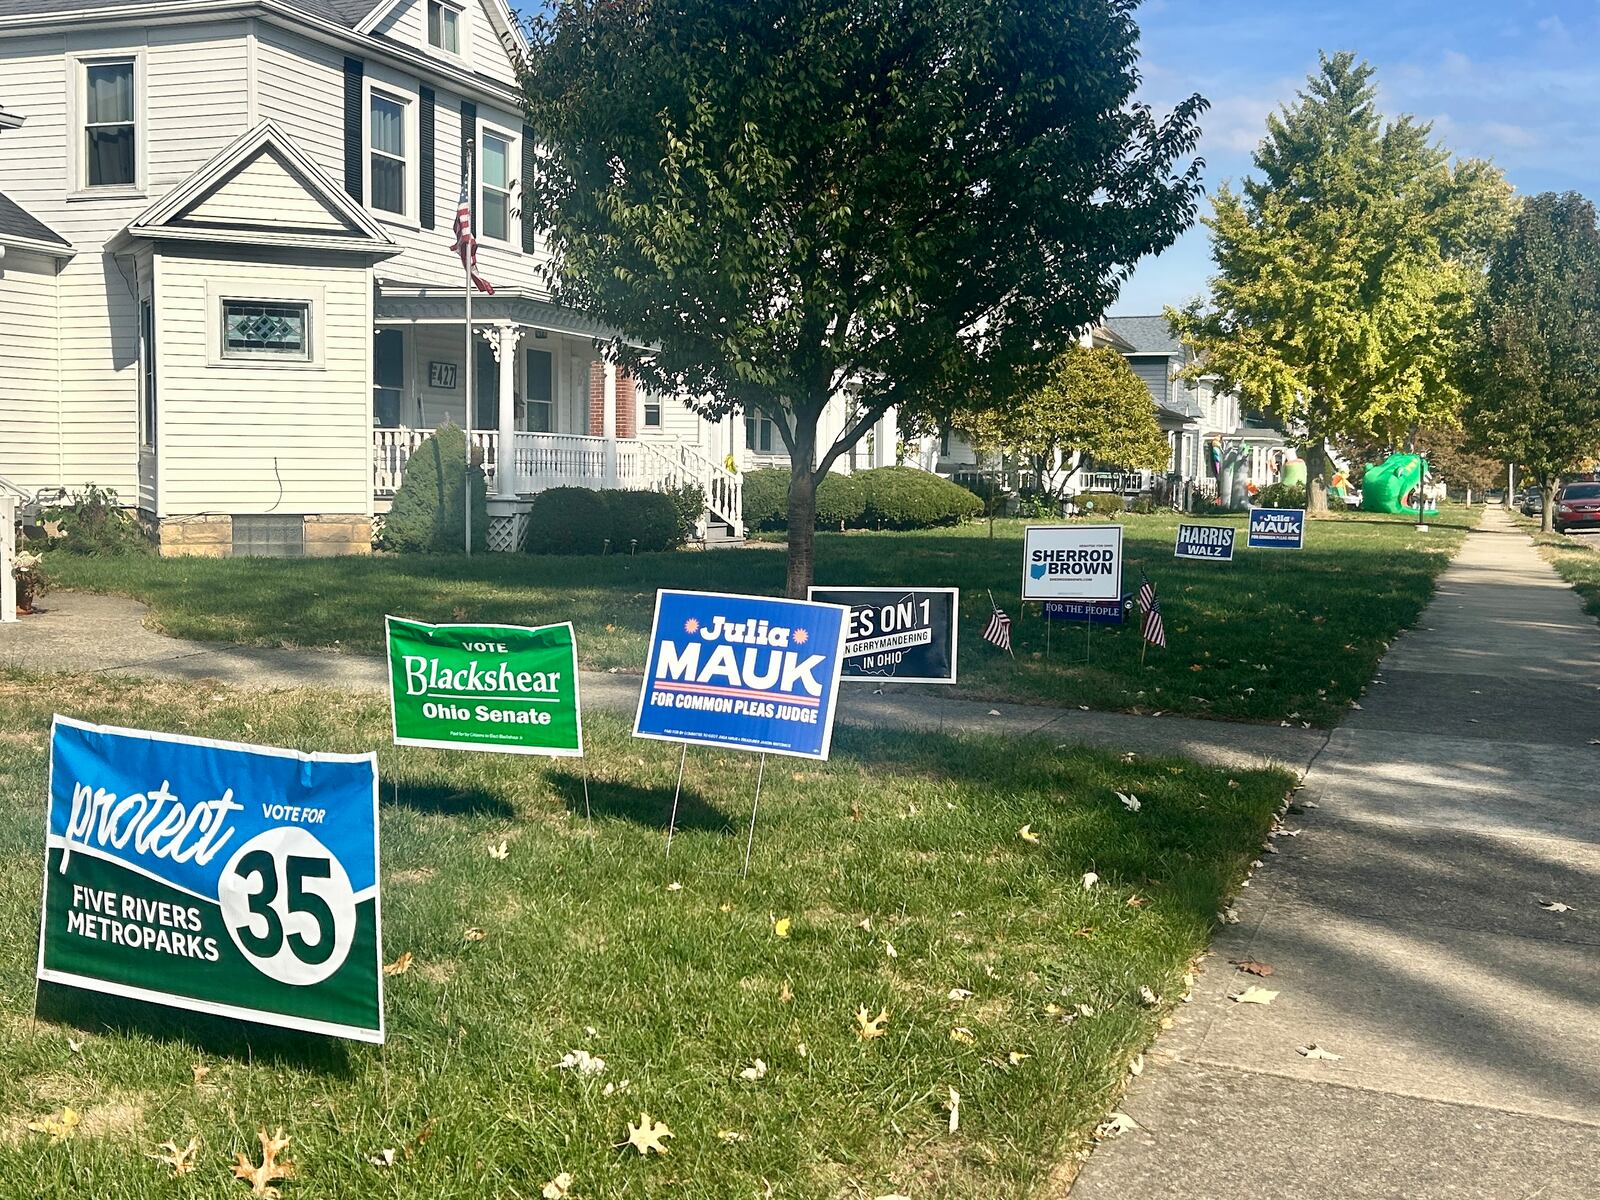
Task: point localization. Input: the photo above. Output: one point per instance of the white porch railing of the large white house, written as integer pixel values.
(578, 462)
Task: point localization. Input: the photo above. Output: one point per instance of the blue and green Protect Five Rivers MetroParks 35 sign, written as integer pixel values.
(215, 878)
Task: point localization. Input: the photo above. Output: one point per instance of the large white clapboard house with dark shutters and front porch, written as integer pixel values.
(228, 292)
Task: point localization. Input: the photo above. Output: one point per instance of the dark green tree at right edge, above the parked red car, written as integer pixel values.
(1537, 345)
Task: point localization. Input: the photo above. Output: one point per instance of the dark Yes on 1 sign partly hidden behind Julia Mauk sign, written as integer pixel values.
(902, 634)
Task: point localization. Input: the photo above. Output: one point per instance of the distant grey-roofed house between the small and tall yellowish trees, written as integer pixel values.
(1199, 418)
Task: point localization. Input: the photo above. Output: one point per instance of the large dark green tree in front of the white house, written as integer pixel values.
(782, 202)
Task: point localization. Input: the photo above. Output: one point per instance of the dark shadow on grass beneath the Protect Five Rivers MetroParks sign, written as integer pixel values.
(223, 1038)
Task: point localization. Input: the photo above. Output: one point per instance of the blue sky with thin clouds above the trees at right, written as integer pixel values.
(1518, 82)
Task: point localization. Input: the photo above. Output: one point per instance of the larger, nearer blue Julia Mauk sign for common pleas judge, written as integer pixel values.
(743, 673)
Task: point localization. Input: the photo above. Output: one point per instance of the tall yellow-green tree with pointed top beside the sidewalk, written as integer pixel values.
(1346, 270)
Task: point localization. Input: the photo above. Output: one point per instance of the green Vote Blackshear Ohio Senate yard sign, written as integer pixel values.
(486, 687)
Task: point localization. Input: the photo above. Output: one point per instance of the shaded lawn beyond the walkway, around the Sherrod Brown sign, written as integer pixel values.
(1271, 636)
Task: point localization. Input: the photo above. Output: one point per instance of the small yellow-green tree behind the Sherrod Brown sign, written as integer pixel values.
(1092, 402)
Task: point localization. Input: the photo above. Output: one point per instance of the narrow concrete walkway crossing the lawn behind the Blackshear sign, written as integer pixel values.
(108, 634)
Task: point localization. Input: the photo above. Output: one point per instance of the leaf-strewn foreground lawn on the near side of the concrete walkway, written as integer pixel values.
(906, 841)
